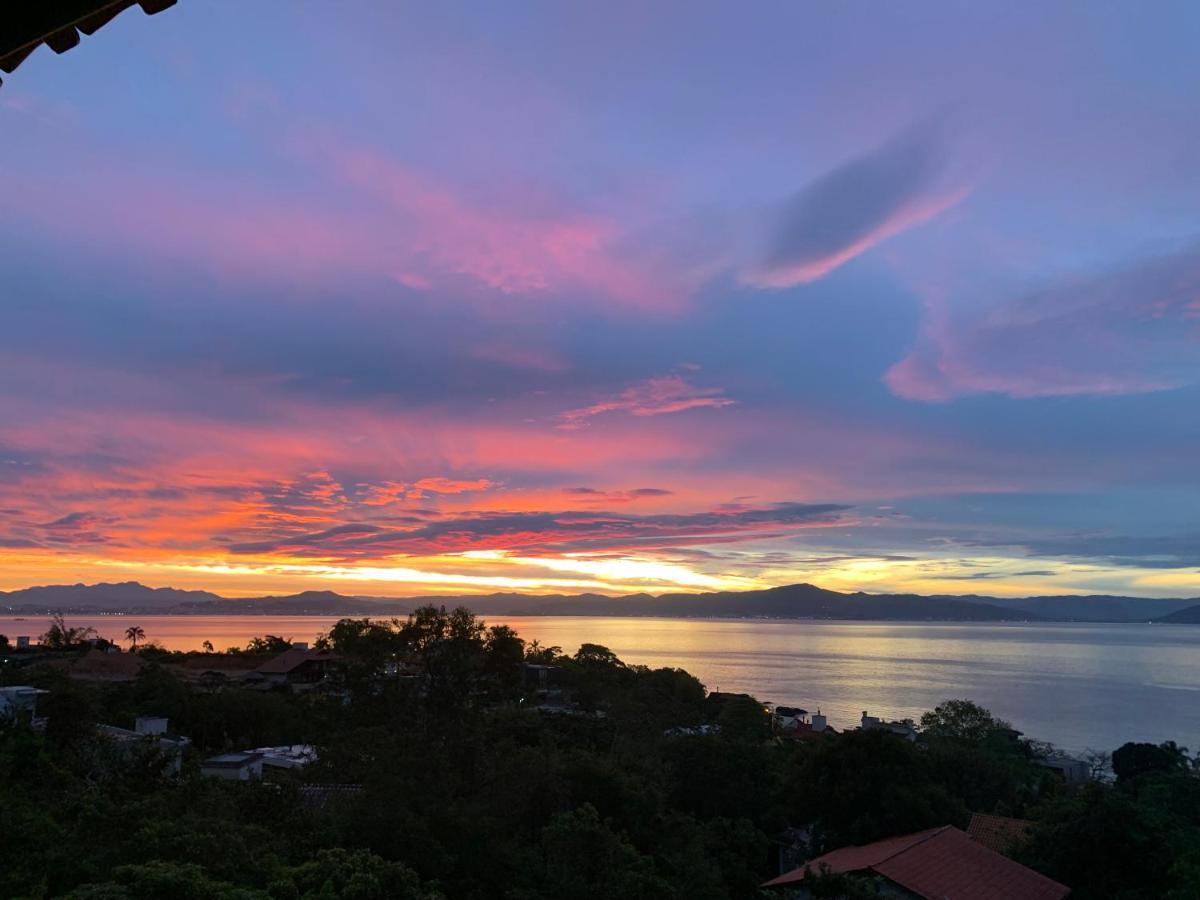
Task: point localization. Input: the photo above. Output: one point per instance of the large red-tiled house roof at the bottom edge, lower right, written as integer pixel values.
(937, 865)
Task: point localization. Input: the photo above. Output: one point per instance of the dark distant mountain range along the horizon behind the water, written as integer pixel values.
(790, 602)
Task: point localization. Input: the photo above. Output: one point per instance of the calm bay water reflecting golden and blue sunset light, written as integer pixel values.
(1073, 685)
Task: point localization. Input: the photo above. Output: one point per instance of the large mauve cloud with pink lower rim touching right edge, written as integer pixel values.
(1132, 331)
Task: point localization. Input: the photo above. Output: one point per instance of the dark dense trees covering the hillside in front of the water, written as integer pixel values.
(458, 761)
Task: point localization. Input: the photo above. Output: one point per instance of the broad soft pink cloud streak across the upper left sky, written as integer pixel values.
(373, 217)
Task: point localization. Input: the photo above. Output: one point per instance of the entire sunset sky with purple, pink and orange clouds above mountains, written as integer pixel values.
(560, 298)
